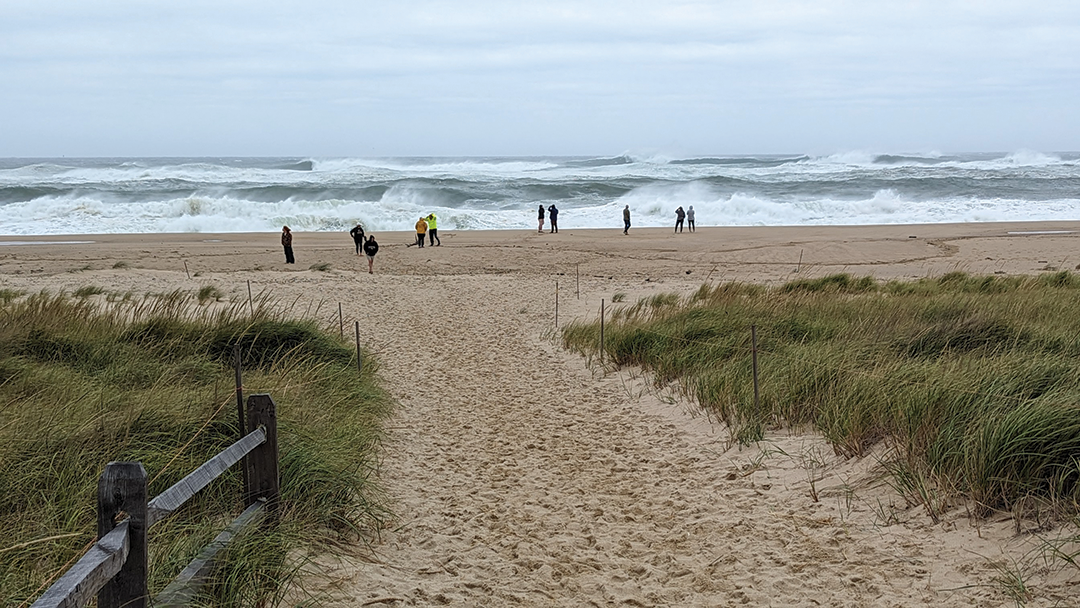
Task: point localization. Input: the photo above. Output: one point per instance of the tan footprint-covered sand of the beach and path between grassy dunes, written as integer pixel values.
(521, 476)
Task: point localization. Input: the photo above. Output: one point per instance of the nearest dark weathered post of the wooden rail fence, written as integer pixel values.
(123, 491)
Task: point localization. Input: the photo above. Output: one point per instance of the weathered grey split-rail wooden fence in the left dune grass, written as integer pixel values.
(116, 566)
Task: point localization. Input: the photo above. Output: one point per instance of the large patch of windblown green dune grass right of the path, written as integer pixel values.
(970, 382)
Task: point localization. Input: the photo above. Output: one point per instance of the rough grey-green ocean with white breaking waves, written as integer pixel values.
(252, 195)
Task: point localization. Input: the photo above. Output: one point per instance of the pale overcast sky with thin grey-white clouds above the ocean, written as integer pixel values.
(329, 78)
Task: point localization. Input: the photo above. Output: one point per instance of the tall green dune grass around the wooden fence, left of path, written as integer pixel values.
(152, 381)
